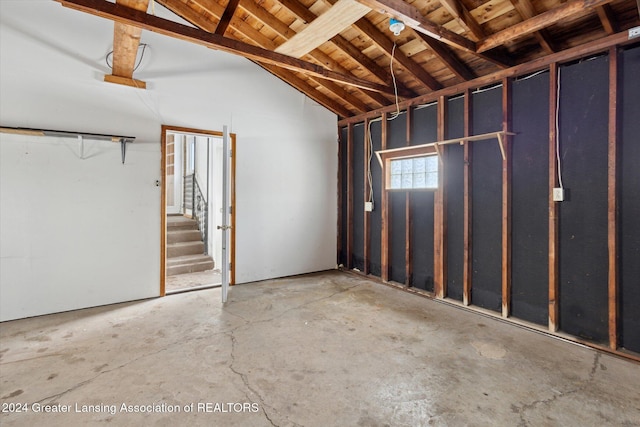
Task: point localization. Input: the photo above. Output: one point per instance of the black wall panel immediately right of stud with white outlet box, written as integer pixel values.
(584, 111)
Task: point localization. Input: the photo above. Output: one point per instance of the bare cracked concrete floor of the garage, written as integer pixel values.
(328, 349)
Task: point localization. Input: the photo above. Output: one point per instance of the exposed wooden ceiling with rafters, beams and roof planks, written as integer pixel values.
(342, 54)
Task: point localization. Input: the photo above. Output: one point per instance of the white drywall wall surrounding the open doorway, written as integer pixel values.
(53, 258)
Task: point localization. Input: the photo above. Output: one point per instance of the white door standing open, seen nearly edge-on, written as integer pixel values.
(226, 213)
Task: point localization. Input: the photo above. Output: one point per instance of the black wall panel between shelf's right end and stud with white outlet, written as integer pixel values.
(530, 199)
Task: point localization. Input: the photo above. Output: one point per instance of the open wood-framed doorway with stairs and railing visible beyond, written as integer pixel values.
(192, 256)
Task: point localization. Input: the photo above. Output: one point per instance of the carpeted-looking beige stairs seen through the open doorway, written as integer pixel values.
(185, 248)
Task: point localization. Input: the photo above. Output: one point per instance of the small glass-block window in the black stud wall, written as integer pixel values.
(413, 173)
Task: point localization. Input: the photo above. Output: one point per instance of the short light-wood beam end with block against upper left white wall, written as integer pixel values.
(126, 41)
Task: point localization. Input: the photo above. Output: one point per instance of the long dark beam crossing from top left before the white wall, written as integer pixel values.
(169, 28)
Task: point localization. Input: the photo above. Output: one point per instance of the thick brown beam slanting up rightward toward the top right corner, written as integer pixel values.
(538, 22)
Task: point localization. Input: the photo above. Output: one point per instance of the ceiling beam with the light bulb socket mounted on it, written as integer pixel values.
(412, 17)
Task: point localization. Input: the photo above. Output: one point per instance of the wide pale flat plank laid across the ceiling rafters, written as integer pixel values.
(340, 16)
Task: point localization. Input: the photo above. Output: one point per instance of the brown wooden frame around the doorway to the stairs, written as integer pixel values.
(163, 199)
